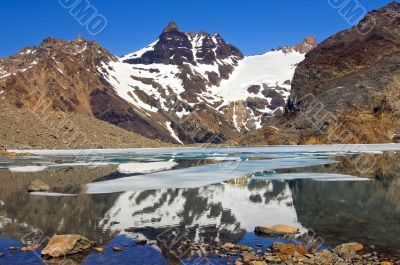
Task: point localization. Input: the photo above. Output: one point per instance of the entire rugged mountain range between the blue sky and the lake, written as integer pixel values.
(196, 88)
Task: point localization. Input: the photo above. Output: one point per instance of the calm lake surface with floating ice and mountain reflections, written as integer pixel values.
(214, 194)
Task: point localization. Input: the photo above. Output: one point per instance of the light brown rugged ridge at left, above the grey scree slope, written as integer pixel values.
(63, 73)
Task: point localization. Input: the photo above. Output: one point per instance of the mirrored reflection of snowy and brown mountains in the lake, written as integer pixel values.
(338, 211)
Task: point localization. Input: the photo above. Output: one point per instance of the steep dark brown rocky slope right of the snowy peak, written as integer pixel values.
(348, 87)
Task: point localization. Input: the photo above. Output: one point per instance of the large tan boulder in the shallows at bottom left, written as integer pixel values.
(65, 245)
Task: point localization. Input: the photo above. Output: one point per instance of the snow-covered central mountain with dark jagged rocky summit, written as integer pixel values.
(199, 87)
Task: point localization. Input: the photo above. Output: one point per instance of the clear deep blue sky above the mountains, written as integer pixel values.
(254, 26)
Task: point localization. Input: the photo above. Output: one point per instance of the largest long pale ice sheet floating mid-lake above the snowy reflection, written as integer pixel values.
(198, 176)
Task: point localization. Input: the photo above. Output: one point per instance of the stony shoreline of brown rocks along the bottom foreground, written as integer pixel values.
(76, 248)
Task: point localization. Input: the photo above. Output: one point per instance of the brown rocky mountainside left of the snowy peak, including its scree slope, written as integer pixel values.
(61, 78)
